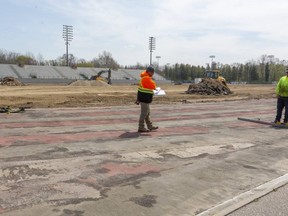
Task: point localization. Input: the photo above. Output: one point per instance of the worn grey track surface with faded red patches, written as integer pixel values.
(92, 161)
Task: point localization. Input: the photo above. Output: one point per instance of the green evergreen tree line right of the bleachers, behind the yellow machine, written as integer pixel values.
(264, 70)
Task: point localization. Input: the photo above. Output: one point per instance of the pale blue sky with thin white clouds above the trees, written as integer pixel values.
(186, 31)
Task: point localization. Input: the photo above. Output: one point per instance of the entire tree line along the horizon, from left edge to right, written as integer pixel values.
(266, 69)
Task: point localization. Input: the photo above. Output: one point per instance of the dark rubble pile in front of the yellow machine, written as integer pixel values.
(209, 86)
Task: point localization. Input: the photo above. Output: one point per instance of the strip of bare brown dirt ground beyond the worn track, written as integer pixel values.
(43, 96)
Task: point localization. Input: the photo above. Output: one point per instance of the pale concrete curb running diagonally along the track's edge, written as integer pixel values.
(245, 198)
